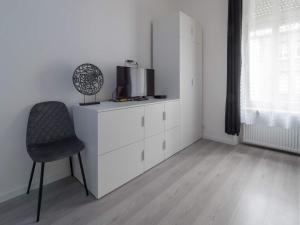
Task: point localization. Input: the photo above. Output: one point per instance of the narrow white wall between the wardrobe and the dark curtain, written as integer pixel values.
(212, 15)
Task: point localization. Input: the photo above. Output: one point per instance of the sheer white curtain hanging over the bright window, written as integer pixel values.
(270, 83)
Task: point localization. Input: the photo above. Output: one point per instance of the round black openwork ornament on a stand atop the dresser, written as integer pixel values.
(88, 80)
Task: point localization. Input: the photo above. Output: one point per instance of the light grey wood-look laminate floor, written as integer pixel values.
(206, 184)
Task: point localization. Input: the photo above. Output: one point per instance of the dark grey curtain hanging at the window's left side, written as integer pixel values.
(233, 118)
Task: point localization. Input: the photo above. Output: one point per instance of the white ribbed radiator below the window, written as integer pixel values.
(272, 137)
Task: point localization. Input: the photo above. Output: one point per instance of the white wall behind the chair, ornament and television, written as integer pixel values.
(41, 43)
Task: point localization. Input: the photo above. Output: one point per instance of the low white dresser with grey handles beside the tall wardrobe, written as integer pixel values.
(123, 140)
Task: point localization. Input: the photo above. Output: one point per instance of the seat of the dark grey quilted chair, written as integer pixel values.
(56, 150)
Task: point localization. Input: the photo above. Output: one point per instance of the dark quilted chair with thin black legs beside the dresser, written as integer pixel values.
(50, 137)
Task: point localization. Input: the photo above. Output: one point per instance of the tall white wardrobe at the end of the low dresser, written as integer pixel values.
(177, 60)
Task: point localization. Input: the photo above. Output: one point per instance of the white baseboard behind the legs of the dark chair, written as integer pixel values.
(22, 190)
